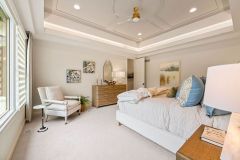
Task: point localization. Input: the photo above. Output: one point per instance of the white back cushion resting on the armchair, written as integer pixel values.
(54, 93)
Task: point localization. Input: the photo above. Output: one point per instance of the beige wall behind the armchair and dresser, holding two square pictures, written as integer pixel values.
(50, 61)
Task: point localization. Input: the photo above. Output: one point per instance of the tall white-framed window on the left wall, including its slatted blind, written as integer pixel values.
(12, 64)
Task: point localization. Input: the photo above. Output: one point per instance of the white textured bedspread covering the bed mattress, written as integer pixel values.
(166, 113)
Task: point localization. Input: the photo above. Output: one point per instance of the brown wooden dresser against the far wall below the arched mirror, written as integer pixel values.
(103, 95)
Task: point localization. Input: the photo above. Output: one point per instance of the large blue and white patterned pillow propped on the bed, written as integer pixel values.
(191, 92)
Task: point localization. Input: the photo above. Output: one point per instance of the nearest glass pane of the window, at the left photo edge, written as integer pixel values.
(4, 25)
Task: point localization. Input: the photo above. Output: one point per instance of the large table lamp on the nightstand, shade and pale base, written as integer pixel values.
(223, 92)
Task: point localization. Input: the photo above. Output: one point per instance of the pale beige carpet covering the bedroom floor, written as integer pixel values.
(94, 135)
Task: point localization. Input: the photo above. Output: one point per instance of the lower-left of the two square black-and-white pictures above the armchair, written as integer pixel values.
(73, 76)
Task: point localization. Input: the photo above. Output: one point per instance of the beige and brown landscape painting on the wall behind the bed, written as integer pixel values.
(170, 74)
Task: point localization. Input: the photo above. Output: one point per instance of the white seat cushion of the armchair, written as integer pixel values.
(60, 107)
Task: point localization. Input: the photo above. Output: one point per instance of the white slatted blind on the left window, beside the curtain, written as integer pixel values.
(20, 68)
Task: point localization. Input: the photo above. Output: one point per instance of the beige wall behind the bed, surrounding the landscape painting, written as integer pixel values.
(194, 60)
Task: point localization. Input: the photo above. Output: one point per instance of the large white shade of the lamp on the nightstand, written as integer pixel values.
(223, 87)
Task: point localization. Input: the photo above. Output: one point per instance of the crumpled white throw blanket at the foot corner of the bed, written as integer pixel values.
(133, 96)
